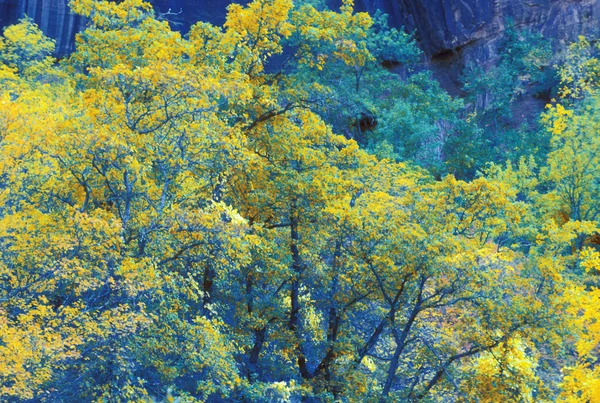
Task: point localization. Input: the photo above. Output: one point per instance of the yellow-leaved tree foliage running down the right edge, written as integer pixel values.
(562, 218)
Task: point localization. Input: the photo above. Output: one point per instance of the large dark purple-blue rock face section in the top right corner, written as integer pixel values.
(455, 32)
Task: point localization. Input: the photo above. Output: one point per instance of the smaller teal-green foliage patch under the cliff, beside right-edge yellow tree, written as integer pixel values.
(523, 69)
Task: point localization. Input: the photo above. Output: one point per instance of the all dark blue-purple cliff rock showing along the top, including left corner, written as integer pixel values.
(450, 32)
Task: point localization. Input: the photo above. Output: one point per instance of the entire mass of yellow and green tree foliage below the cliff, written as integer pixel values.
(179, 220)
